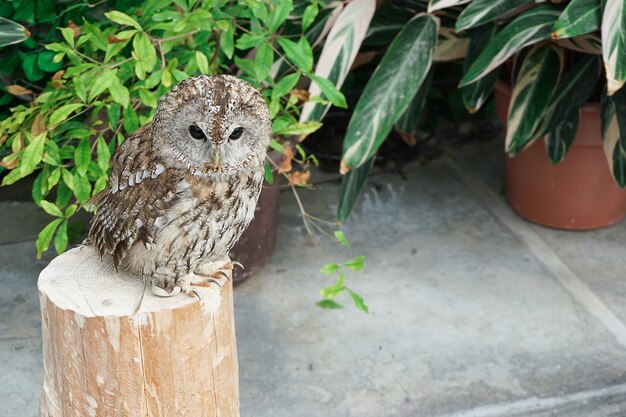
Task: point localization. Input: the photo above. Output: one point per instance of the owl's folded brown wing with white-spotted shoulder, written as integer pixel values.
(140, 191)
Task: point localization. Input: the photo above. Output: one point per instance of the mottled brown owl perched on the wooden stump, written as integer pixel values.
(183, 188)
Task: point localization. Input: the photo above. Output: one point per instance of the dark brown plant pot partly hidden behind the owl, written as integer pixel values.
(255, 247)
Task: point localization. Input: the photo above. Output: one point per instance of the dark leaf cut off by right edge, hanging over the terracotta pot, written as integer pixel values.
(614, 134)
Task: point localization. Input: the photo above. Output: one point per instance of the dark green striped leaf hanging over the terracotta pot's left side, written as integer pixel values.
(533, 90)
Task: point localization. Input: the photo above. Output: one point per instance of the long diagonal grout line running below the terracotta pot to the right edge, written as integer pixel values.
(540, 249)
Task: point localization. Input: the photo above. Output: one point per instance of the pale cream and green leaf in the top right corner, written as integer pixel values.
(614, 44)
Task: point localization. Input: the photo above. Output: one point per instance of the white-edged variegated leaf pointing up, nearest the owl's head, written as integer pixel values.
(340, 49)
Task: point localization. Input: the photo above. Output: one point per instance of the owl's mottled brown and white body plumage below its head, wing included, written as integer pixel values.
(144, 197)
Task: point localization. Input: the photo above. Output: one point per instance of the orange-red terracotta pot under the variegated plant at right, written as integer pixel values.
(577, 193)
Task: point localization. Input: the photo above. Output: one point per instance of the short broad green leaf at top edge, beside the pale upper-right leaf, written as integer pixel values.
(578, 18)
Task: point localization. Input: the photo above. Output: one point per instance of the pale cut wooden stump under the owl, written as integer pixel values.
(110, 350)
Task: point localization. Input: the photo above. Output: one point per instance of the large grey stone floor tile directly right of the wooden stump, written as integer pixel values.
(462, 315)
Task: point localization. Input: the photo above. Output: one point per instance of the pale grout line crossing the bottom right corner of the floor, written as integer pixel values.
(534, 404)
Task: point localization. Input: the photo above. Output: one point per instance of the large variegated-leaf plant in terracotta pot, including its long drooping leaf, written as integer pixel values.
(551, 53)
